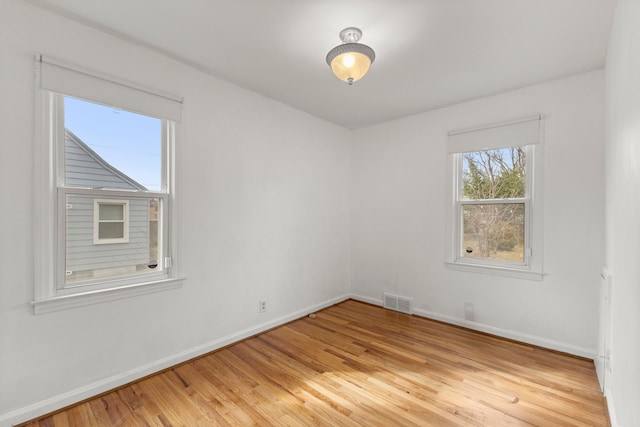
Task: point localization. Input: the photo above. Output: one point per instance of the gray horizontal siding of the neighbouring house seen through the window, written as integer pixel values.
(85, 168)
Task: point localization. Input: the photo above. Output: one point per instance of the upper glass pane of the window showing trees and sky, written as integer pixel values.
(494, 174)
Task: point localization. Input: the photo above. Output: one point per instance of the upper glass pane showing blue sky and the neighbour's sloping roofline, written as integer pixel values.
(110, 148)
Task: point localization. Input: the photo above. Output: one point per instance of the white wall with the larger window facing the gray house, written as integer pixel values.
(264, 214)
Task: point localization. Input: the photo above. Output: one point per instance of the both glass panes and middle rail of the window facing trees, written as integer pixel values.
(492, 202)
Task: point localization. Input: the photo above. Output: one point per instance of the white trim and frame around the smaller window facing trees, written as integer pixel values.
(532, 268)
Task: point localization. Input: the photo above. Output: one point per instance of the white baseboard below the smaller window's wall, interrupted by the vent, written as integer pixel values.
(504, 333)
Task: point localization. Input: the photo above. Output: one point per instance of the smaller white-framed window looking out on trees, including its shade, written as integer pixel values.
(495, 213)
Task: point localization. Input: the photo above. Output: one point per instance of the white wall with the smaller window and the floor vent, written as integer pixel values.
(399, 215)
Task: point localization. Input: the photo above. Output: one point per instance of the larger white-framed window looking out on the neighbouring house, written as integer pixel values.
(106, 188)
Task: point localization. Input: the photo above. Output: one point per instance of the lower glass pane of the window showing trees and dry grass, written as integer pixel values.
(493, 232)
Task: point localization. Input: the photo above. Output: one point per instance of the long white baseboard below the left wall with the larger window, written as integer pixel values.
(73, 396)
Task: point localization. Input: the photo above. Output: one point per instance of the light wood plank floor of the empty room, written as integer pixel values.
(358, 365)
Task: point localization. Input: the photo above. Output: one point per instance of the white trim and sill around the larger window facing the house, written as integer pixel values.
(47, 297)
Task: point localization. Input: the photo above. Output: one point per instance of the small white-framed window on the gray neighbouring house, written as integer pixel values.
(110, 222)
